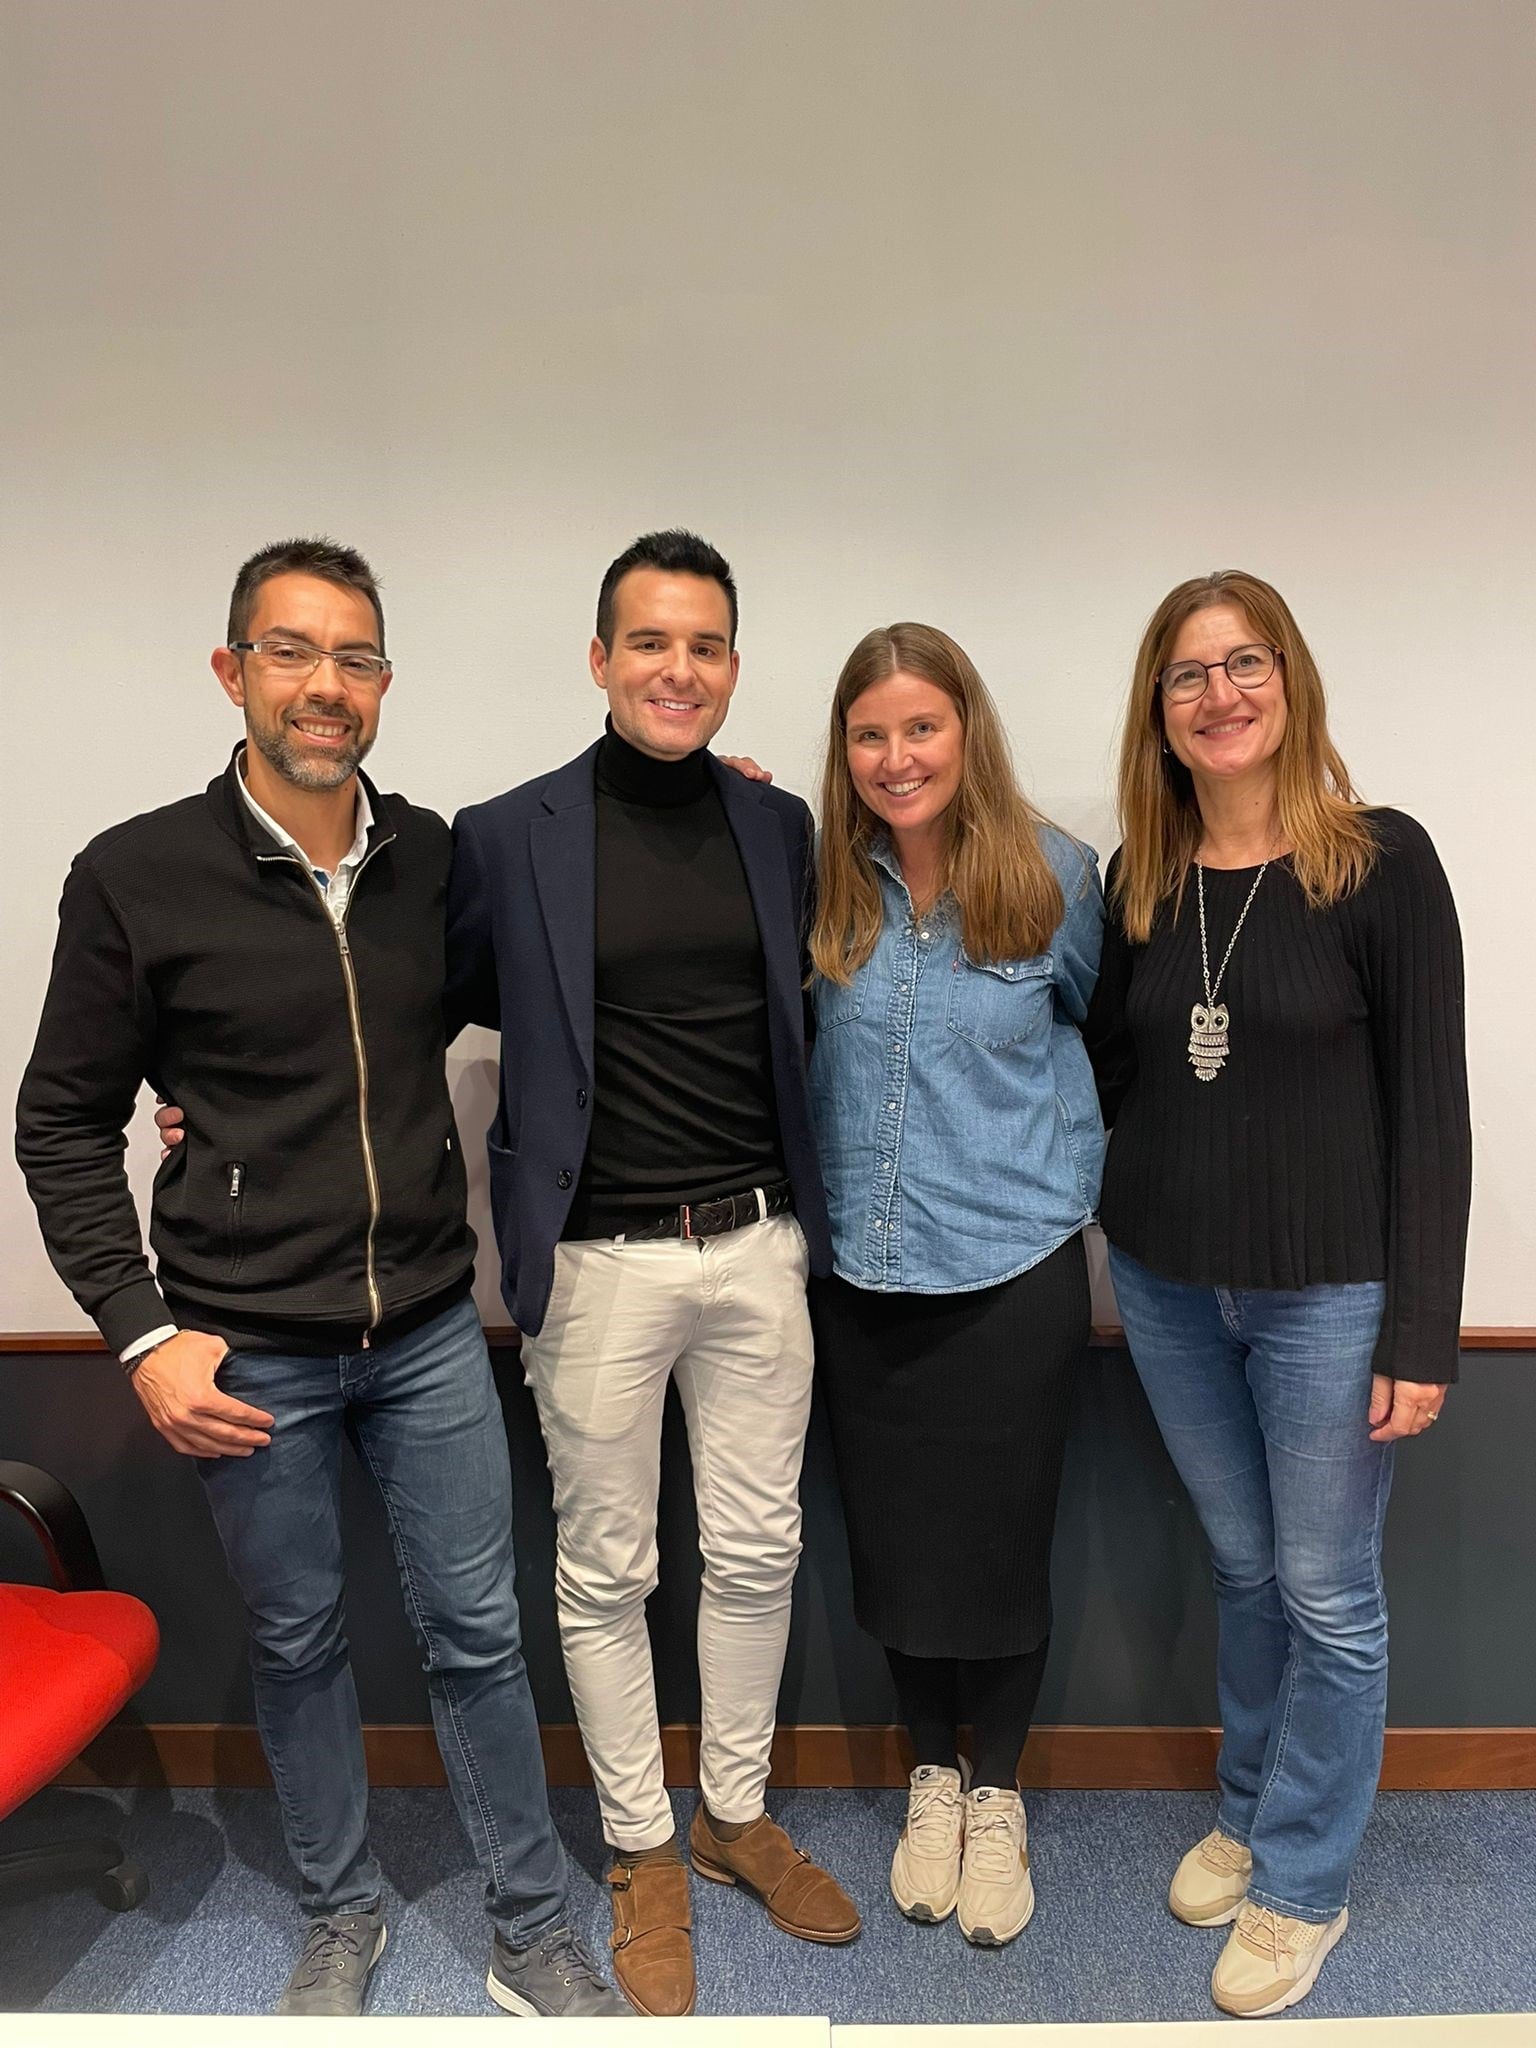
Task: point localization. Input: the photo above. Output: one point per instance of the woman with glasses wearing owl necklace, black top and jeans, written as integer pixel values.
(1279, 1046)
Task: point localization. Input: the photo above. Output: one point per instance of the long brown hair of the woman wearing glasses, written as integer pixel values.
(1320, 810)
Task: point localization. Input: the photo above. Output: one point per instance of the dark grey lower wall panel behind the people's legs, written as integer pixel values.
(1134, 1637)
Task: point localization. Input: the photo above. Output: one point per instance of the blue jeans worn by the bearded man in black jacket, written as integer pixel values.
(427, 1424)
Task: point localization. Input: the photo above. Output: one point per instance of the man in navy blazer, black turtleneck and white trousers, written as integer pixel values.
(634, 925)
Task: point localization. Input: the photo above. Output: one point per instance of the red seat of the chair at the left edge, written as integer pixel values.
(69, 1662)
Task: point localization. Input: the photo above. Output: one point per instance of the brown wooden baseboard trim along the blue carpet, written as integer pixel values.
(1076, 1760)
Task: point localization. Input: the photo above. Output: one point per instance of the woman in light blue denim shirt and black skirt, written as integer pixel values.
(955, 945)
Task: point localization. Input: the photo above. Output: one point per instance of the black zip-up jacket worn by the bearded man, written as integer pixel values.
(321, 1183)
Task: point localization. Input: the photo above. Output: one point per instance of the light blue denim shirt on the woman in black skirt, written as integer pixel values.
(955, 1109)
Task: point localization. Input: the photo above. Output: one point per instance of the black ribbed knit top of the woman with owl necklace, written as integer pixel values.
(1334, 1144)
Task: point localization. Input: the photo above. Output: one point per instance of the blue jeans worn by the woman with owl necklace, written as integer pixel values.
(1263, 1402)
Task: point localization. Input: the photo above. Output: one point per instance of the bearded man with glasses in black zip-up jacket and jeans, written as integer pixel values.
(271, 955)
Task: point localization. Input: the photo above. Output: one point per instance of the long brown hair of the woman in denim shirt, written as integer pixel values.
(992, 861)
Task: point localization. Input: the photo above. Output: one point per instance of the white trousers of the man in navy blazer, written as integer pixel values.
(726, 1316)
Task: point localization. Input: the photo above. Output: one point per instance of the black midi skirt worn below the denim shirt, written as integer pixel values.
(949, 1418)
